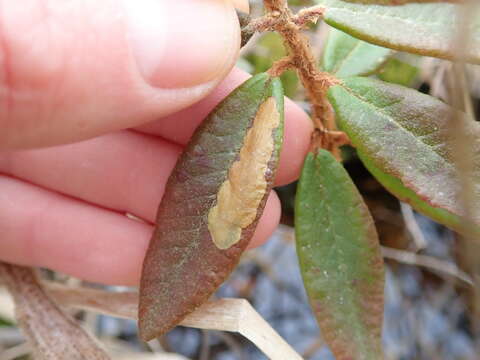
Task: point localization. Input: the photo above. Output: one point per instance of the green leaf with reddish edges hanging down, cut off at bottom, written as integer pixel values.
(340, 259)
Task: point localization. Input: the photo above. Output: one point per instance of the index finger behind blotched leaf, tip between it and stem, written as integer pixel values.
(298, 127)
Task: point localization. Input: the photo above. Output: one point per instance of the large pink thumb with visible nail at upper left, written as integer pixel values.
(70, 70)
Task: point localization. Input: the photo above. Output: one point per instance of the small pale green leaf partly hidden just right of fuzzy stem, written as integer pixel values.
(345, 55)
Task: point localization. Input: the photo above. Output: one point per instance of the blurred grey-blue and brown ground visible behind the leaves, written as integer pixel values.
(431, 309)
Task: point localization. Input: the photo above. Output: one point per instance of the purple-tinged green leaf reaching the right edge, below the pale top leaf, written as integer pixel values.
(405, 134)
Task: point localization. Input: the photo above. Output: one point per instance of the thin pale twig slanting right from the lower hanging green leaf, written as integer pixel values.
(428, 262)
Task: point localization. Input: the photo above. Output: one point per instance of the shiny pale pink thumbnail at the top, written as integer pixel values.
(182, 43)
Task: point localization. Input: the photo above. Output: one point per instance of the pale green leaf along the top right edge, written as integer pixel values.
(423, 29)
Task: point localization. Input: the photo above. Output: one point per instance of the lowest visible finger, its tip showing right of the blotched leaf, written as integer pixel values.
(41, 228)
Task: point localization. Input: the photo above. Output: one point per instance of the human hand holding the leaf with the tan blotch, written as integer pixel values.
(123, 84)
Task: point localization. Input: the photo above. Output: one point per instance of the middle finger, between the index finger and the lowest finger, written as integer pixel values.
(124, 171)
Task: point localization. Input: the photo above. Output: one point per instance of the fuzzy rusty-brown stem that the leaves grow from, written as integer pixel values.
(315, 82)
